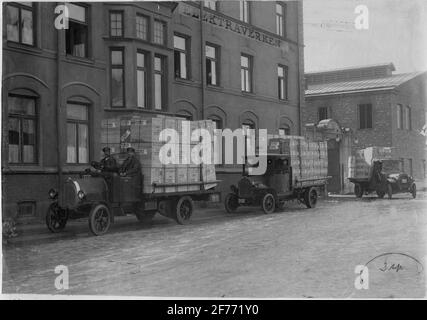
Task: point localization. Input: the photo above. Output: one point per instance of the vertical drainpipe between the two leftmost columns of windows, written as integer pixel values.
(58, 107)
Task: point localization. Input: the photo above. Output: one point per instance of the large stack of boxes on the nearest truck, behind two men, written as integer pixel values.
(143, 134)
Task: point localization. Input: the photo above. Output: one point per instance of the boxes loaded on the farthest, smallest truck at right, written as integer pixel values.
(361, 163)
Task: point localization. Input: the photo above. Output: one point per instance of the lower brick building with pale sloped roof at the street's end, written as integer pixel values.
(367, 106)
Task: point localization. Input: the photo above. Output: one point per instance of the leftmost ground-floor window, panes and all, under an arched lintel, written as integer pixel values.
(22, 129)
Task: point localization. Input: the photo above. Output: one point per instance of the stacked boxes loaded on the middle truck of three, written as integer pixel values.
(309, 159)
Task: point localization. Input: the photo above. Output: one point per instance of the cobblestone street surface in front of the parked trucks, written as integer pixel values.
(298, 253)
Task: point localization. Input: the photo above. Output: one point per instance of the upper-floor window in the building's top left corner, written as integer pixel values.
(20, 22)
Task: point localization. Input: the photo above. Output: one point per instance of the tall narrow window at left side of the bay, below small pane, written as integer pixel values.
(117, 78)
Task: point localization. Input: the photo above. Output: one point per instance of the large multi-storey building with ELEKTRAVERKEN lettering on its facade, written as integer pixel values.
(238, 63)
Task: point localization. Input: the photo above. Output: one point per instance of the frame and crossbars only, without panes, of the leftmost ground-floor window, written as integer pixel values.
(20, 117)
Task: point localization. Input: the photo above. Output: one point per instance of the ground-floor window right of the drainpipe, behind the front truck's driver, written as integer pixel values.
(77, 133)
